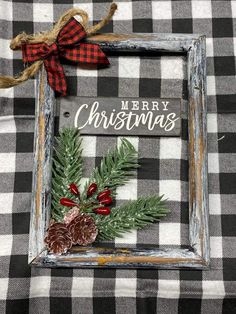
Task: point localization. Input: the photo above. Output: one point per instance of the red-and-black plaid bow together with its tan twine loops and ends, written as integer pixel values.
(64, 40)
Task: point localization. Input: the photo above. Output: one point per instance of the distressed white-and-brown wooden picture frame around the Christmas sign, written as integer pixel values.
(197, 256)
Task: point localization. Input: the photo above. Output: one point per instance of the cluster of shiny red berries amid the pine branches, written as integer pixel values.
(103, 198)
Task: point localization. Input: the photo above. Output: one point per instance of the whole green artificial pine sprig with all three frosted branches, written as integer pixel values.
(116, 168)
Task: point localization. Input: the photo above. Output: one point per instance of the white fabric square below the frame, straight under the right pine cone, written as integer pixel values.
(82, 287)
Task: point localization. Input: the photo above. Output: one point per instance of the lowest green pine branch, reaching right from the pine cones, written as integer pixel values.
(132, 215)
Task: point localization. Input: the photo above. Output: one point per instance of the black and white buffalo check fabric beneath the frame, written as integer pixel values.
(164, 164)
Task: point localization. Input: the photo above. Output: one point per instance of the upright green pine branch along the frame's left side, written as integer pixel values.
(67, 168)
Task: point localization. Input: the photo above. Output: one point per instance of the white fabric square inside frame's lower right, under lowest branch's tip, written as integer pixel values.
(169, 233)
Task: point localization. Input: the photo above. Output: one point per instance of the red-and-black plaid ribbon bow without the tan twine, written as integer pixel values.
(68, 46)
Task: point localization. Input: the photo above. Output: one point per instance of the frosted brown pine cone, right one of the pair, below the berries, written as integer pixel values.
(83, 230)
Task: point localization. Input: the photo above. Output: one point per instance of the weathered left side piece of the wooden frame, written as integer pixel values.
(41, 187)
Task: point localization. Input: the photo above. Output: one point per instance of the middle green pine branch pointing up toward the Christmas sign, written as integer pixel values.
(116, 168)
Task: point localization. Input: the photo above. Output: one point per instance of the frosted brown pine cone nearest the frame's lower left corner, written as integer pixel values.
(58, 238)
